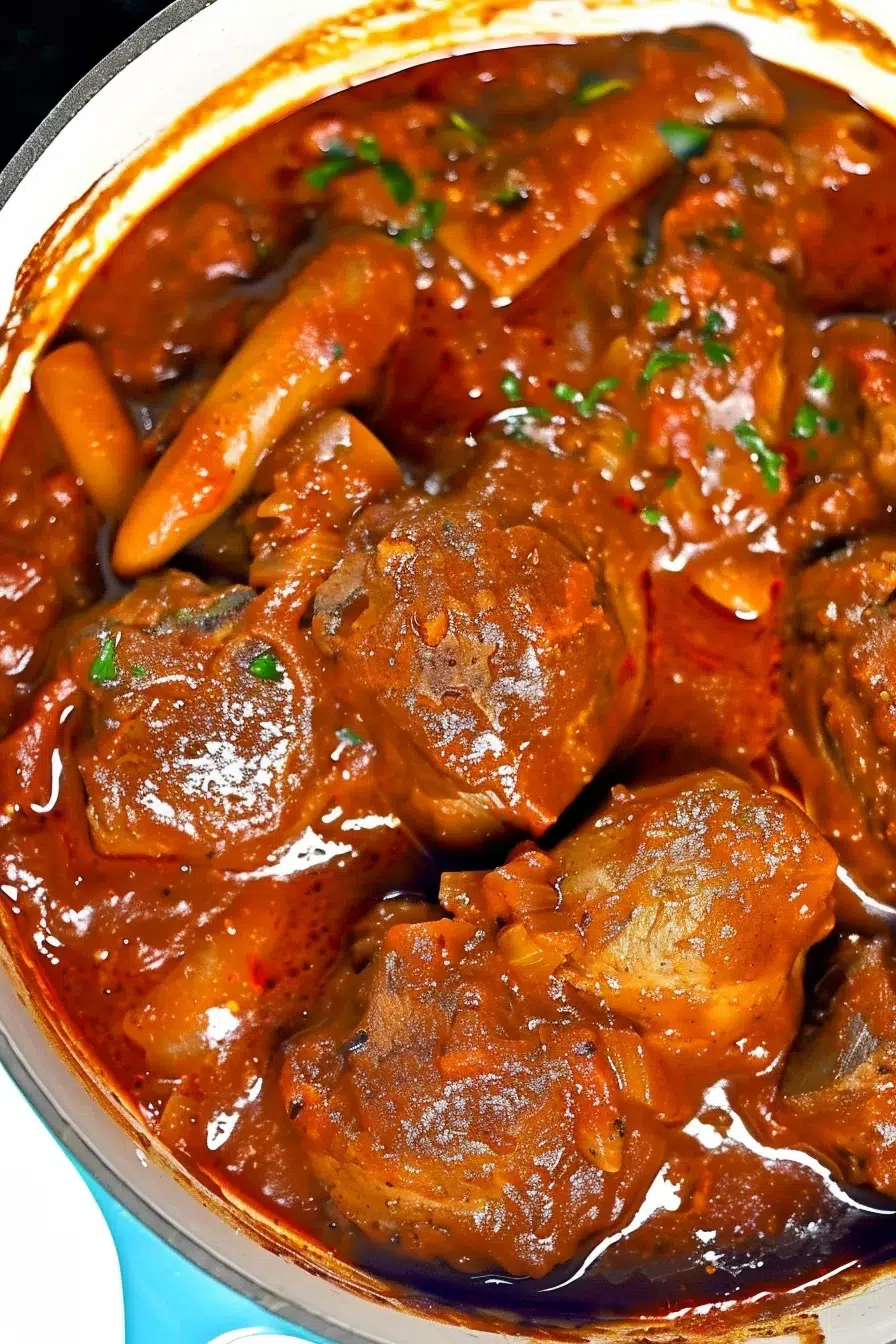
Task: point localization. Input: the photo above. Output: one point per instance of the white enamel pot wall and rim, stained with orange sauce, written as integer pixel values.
(198, 77)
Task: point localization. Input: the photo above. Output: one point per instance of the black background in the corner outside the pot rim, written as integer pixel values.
(46, 49)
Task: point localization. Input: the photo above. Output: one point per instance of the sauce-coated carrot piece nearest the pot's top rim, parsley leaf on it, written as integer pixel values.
(517, 220)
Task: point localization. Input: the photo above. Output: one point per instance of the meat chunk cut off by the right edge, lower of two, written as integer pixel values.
(839, 1091)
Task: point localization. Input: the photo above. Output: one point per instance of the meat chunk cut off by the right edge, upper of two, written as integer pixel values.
(840, 686)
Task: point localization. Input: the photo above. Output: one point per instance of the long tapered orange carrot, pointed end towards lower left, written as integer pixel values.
(315, 349)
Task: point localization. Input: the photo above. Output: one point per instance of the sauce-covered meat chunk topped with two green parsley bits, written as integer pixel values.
(201, 740)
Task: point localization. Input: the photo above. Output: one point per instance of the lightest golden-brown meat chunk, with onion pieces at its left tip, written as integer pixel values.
(686, 908)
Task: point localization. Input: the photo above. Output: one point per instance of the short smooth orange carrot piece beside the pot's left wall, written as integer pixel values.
(91, 421)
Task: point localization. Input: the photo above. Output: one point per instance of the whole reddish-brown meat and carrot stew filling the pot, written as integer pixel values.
(449, 677)
